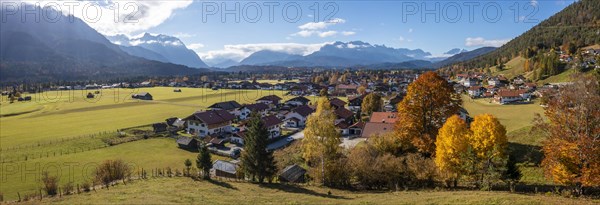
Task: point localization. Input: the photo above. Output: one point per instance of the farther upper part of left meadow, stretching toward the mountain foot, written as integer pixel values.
(64, 114)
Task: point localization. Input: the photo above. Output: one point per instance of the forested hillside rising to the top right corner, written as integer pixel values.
(576, 25)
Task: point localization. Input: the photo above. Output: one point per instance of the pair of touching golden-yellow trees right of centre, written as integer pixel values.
(478, 152)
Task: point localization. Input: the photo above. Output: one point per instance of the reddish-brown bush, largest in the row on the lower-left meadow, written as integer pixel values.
(112, 170)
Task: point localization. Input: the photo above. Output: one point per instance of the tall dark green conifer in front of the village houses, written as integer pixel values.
(257, 162)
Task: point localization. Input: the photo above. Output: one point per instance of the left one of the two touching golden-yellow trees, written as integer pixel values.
(451, 144)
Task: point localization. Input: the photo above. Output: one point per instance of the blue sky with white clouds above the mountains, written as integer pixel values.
(220, 30)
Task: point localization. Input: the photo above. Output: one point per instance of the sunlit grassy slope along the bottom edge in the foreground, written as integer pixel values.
(187, 191)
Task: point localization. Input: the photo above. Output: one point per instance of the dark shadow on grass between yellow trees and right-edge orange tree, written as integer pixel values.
(526, 154)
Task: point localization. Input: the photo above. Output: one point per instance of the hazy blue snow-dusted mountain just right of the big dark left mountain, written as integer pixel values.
(170, 48)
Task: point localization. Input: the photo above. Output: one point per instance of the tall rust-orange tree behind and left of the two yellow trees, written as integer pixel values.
(429, 101)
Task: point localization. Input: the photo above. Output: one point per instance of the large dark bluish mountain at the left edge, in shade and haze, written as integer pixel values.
(68, 50)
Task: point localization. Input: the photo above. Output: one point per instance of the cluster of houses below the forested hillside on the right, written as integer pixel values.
(497, 88)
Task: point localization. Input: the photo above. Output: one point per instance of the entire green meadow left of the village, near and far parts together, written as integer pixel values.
(55, 128)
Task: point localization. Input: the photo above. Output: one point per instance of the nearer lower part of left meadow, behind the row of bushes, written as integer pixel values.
(23, 176)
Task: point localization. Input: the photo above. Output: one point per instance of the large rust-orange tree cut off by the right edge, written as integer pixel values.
(572, 148)
